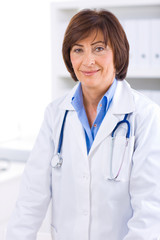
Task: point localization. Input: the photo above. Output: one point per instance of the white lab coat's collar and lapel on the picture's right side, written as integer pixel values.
(122, 103)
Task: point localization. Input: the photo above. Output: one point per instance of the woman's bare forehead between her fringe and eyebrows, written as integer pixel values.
(94, 36)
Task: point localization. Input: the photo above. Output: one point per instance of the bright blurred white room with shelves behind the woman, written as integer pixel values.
(32, 74)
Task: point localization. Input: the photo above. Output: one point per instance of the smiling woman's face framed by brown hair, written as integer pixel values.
(92, 62)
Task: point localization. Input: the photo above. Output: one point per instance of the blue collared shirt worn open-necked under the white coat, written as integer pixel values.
(102, 108)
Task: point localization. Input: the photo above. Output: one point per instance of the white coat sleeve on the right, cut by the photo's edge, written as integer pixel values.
(145, 177)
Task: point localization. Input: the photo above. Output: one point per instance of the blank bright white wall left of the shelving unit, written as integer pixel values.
(25, 65)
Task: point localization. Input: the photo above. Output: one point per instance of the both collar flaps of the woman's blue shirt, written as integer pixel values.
(77, 99)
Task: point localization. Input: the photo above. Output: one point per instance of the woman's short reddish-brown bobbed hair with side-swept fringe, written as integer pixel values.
(84, 23)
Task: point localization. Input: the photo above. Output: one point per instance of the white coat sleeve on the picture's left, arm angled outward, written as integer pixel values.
(35, 189)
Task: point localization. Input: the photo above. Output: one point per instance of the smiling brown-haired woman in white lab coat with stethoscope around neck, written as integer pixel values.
(97, 156)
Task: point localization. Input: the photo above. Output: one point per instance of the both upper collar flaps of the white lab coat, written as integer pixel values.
(122, 103)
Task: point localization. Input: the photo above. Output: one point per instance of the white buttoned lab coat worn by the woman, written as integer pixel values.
(85, 204)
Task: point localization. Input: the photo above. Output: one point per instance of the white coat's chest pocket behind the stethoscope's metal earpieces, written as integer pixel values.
(120, 159)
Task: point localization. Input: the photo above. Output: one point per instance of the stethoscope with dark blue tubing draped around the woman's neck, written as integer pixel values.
(58, 160)
